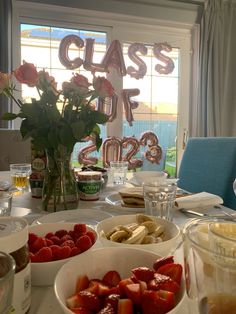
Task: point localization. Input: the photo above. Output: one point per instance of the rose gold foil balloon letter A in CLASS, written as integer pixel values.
(114, 58)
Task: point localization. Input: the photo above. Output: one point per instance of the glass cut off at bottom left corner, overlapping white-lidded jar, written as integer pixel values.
(7, 271)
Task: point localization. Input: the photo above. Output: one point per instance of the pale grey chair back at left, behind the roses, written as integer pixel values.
(13, 149)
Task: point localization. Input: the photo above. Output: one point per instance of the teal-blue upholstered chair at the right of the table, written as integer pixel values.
(209, 164)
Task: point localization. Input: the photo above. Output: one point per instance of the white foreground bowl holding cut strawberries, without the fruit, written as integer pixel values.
(95, 263)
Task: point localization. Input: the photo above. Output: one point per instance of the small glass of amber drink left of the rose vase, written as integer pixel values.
(20, 174)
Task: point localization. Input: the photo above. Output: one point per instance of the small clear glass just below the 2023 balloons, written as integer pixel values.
(118, 170)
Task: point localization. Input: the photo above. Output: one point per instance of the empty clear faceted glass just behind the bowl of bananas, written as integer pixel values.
(159, 198)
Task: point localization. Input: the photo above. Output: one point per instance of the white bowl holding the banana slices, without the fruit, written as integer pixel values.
(171, 234)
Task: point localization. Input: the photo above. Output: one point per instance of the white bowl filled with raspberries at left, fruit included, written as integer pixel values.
(51, 245)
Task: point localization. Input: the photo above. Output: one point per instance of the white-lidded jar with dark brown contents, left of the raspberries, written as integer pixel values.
(13, 240)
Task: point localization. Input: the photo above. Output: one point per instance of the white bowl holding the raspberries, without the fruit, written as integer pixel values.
(43, 274)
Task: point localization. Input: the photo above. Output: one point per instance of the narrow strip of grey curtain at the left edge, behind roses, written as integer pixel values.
(5, 51)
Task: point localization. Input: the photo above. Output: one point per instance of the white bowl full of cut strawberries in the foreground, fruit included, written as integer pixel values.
(120, 280)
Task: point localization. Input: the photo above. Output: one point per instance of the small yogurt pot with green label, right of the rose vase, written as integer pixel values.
(89, 185)
